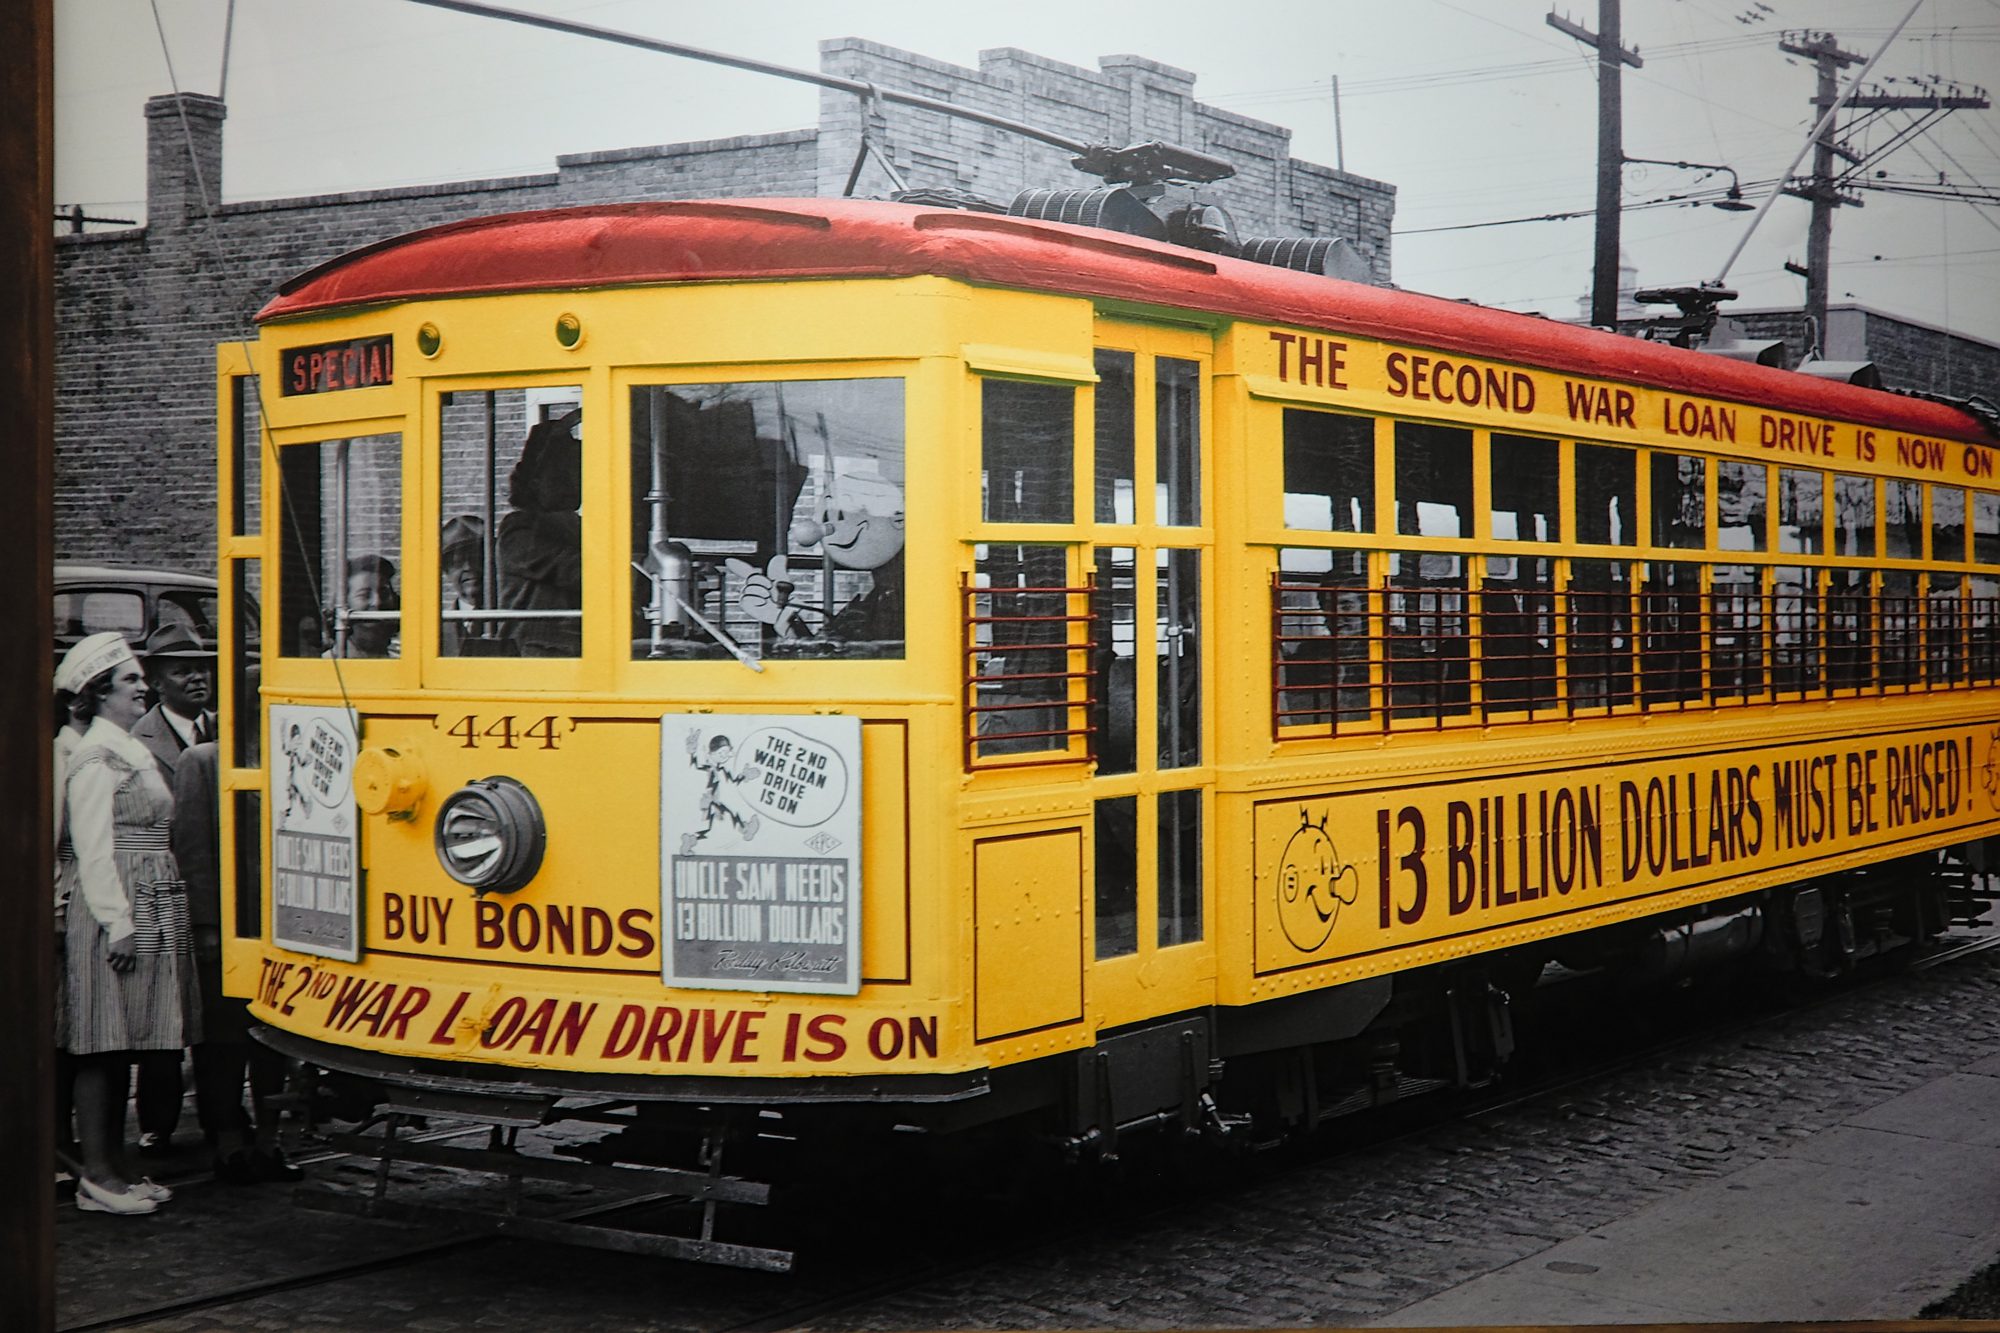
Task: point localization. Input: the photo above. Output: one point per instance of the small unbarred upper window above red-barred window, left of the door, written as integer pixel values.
(1027, 453)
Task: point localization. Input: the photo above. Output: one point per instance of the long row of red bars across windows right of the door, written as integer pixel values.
(1353, 659)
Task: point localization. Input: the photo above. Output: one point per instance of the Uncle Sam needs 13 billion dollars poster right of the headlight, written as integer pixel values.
(761, 852)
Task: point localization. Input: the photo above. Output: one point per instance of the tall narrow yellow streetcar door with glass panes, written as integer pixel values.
(1153, 790)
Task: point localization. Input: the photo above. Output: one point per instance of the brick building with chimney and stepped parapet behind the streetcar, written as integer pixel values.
(141, 311)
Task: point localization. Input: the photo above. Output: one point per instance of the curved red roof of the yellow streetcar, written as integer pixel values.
(623, 245)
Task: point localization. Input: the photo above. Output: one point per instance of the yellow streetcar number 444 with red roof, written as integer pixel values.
(867, 665)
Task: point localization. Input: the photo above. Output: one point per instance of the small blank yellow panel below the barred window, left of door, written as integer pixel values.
(1029, 932)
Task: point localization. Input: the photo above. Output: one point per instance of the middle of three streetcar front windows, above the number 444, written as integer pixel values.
(511, 533)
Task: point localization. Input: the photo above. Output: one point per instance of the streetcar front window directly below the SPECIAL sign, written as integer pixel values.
(341, 547)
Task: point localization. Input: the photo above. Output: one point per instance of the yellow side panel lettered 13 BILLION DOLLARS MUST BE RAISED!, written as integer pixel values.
(1385, 872)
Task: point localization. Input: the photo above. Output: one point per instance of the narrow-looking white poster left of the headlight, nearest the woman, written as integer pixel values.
(315, 834)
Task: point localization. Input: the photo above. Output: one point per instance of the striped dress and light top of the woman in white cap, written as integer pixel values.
(157, 1006)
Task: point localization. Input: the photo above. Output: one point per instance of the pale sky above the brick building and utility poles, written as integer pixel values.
(1475, 109)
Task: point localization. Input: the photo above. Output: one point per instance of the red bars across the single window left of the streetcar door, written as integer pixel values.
(1021, 710)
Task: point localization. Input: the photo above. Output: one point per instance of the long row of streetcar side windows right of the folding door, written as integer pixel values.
(1371, 639)
